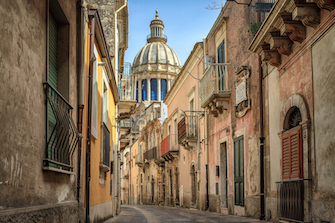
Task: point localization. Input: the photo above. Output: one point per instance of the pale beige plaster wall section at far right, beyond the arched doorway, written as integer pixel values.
(323, 54)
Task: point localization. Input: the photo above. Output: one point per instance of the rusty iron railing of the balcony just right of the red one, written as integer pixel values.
(187, 128)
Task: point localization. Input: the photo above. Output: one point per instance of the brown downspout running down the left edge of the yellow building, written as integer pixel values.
(89, 104)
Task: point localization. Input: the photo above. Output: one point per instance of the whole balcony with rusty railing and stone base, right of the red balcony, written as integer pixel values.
(188, 132)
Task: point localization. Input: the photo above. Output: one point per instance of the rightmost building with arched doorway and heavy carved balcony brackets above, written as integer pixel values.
(297, 51)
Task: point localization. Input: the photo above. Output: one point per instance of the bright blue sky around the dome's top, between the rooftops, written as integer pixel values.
(186, 22)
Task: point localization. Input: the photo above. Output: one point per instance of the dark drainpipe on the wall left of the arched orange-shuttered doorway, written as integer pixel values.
(261, 138)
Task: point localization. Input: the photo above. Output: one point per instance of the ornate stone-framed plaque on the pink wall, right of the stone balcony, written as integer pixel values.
(242, 91)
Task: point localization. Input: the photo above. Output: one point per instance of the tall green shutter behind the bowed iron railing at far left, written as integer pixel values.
(52, 80)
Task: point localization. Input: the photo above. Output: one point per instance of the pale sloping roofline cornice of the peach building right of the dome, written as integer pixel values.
(180, 79)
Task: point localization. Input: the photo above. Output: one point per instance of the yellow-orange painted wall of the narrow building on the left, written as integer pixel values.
(99, 193)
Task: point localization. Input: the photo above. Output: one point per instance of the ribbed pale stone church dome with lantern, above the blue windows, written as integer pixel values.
(156, 55)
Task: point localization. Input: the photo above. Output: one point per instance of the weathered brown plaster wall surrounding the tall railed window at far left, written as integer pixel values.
(23, 55)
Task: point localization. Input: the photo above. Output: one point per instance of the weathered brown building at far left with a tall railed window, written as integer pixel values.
(40, 166)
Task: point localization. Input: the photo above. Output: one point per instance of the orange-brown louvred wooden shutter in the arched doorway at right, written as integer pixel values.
(292, 153)
